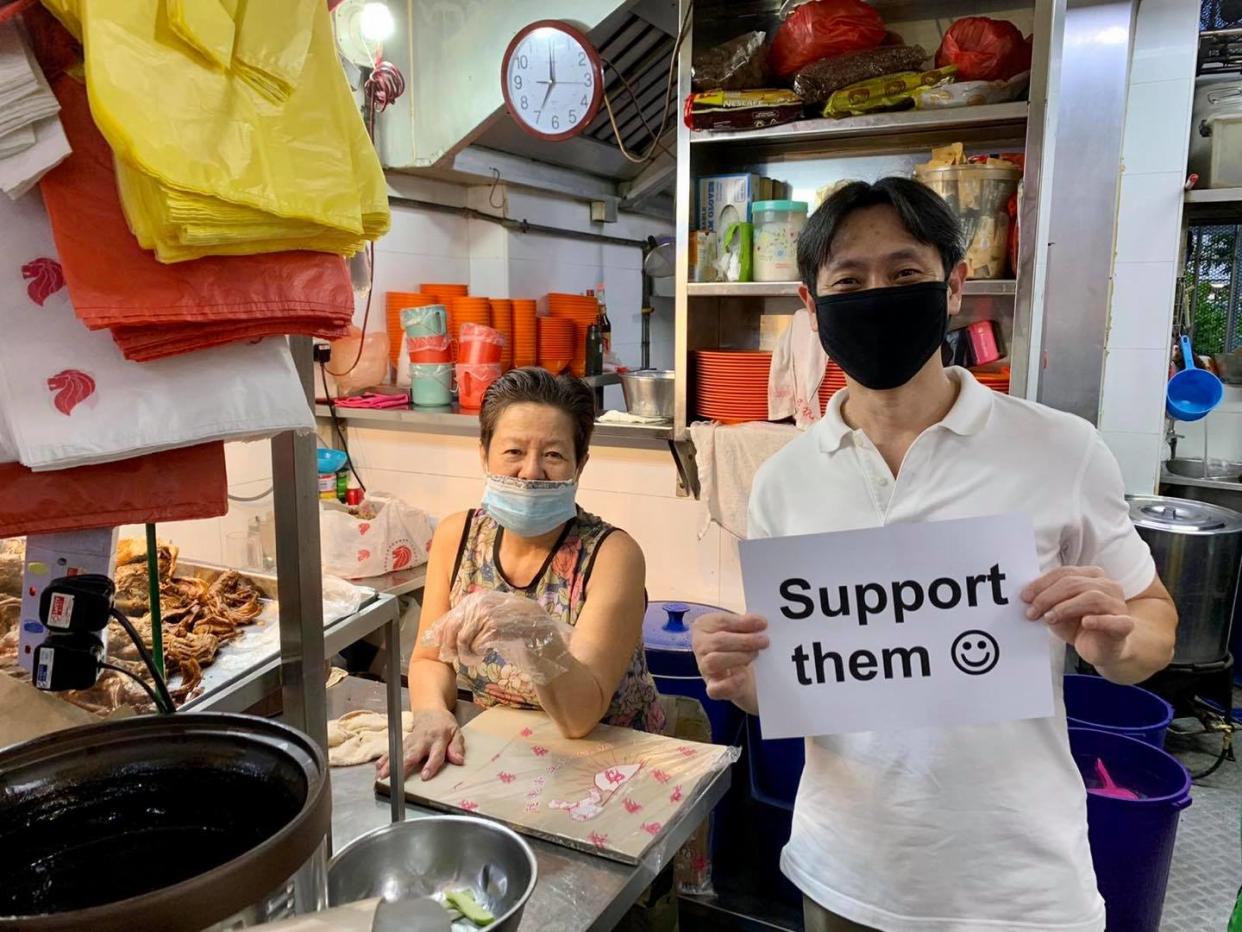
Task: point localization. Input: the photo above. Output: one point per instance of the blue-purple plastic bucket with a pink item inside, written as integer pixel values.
(1132, 839)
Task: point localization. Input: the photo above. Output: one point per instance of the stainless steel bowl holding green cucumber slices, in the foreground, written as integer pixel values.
(424, 857)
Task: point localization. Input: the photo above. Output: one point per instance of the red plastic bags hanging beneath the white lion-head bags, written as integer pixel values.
(175, 485)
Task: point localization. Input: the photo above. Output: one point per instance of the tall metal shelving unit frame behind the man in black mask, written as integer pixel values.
(730, 315)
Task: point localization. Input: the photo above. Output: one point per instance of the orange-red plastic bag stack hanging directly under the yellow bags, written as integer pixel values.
(157, 310)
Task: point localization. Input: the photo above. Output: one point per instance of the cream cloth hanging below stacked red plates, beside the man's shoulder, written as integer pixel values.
(728, 459)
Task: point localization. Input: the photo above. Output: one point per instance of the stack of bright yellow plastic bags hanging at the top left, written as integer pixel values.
(235, 130)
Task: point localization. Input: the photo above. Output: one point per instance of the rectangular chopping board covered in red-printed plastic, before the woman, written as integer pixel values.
(613, 793)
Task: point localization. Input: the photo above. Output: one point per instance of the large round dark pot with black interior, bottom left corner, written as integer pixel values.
(173, 823)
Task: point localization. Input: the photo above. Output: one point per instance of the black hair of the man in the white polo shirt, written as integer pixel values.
(923, 213)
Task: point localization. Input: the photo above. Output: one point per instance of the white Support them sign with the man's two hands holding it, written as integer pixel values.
(839, 616)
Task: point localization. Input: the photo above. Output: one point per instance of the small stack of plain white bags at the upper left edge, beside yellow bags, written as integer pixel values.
(32, 140)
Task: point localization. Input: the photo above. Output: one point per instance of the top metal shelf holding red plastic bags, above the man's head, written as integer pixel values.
(1009, 116)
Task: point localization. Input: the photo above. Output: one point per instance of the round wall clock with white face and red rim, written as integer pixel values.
(552, 80)
